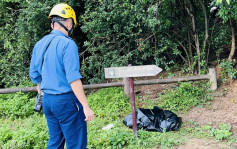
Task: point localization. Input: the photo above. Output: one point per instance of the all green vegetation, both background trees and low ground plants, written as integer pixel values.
(189, 38)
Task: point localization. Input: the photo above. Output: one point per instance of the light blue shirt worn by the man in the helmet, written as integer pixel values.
(61, 63)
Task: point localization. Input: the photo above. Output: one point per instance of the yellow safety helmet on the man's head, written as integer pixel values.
(64, 11)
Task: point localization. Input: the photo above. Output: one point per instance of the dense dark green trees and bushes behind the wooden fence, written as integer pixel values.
(122, 32)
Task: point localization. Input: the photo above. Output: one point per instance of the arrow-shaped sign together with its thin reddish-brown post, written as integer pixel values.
(132, 71)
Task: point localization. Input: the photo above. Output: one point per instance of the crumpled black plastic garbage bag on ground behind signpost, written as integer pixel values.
(154, 119)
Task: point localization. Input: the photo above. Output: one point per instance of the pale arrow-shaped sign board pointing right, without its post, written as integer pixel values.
(132, 71)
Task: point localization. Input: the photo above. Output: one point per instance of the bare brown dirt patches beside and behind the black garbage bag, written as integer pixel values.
(222, 109)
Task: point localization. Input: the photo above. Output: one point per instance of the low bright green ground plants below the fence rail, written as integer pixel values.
(22, 128)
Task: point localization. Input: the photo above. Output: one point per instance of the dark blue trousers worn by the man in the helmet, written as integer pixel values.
(66, 121)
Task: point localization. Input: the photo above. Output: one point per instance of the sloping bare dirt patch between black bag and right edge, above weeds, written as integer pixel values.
(223, 109)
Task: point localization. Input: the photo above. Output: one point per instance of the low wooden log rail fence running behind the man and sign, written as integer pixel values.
(210, 76)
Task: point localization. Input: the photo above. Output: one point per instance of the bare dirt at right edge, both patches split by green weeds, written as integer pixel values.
(223, 109)
